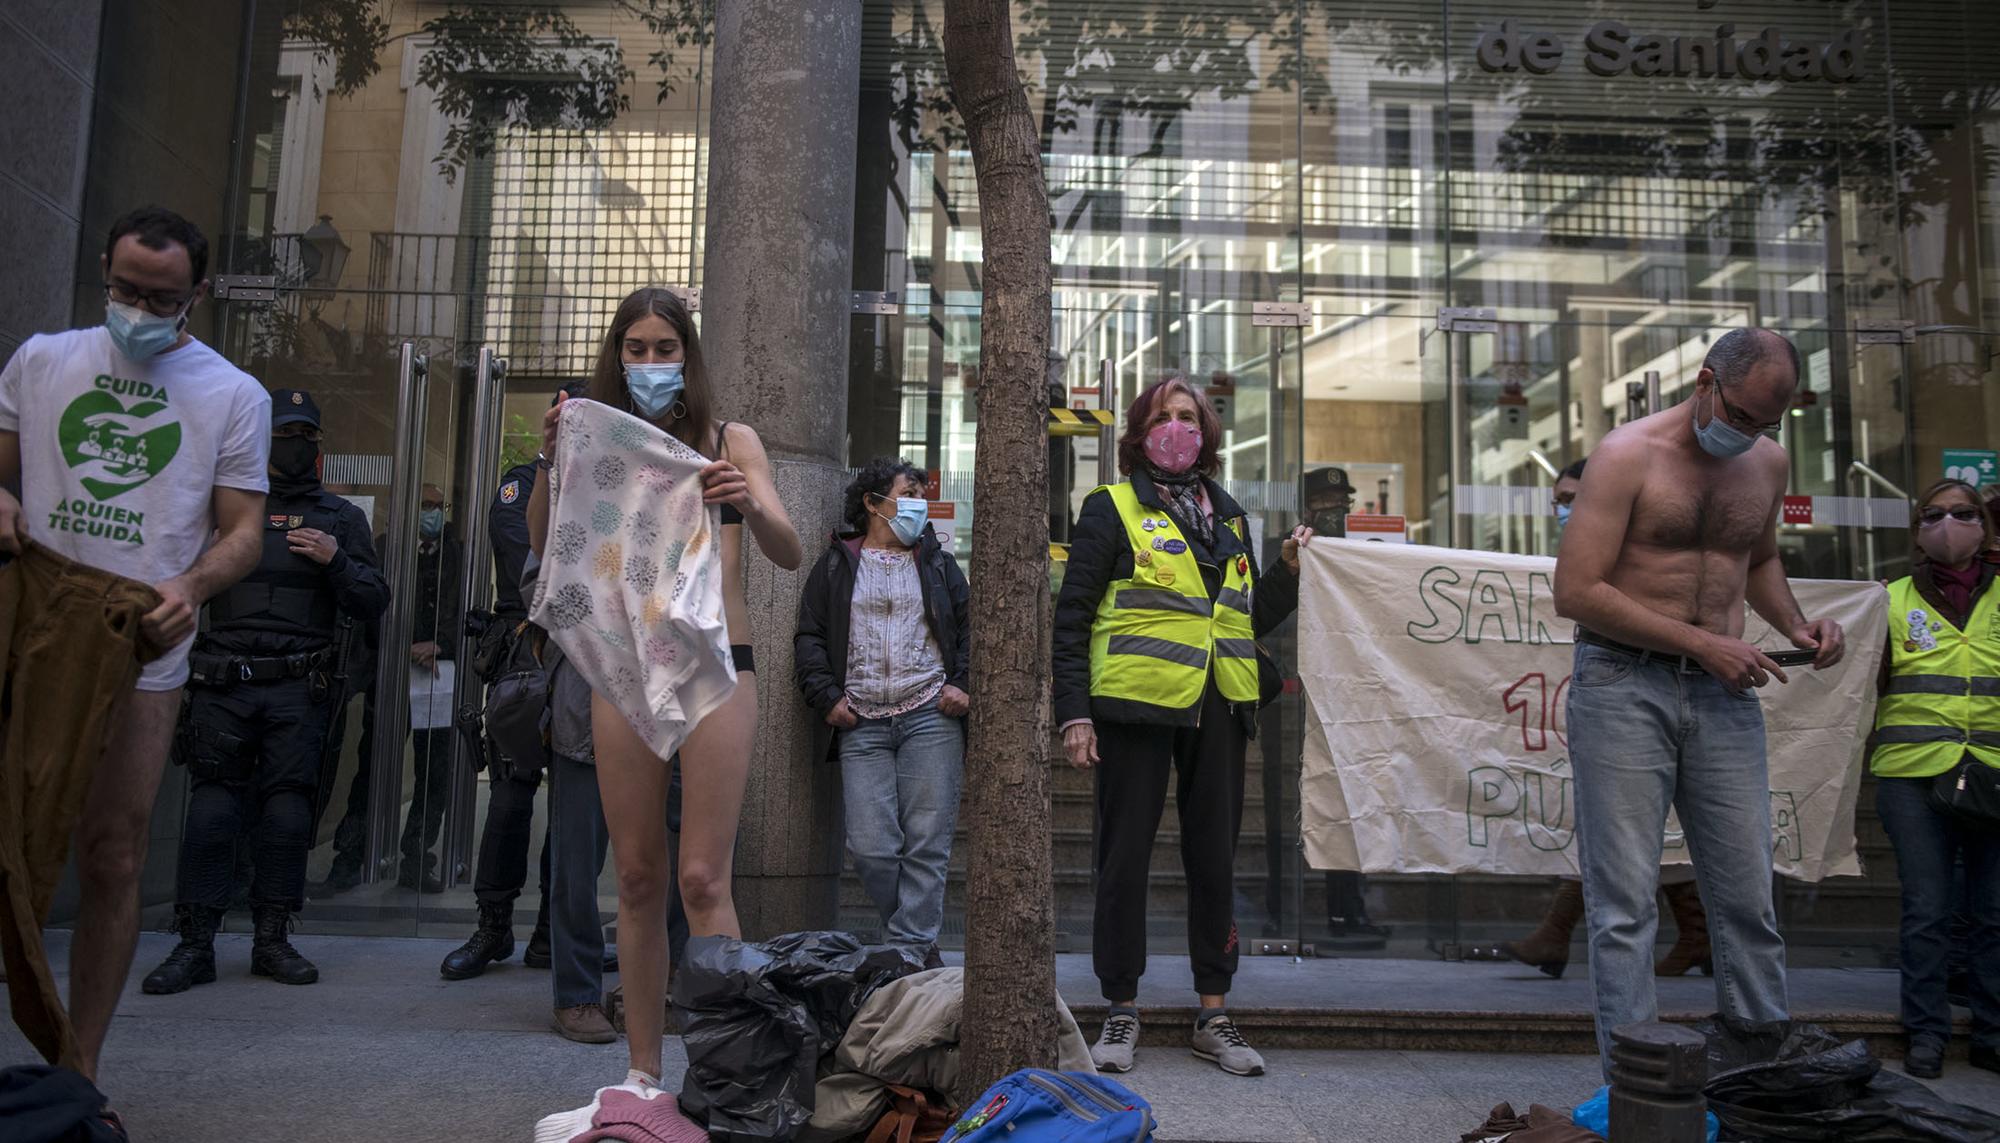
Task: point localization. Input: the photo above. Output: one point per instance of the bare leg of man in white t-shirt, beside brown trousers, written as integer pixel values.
(111, 850)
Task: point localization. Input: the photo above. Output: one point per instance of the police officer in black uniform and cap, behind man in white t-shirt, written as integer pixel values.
(259, 708)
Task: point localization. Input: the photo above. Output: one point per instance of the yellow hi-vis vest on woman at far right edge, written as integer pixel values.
(1943, 698)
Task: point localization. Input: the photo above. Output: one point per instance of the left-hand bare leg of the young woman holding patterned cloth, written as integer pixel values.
(633, 784)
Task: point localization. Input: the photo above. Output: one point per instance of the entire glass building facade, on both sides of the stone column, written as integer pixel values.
(1441, 247)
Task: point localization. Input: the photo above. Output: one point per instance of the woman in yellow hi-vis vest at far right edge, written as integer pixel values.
(1941, 706)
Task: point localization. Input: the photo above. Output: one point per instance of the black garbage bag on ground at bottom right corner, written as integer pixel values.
(1797, 1082)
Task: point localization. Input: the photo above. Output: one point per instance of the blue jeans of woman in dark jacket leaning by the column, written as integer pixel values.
(901, 778)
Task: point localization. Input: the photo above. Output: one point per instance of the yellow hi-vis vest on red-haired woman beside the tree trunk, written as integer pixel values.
(1159, 634)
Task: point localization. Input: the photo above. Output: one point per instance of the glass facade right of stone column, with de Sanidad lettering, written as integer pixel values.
(1503, 221)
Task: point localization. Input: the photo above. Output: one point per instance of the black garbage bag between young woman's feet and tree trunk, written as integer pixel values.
(757, 1018)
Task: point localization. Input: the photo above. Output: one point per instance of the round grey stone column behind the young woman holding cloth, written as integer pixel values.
(775, 333)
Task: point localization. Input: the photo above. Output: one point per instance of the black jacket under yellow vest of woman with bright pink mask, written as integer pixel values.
(1101, 555)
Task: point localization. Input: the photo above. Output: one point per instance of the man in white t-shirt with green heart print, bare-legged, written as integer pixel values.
(137, 451)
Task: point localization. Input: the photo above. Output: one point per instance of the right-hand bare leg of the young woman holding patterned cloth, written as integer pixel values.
(715, 764)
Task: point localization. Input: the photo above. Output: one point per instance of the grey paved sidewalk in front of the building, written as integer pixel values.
(387, 1050)
